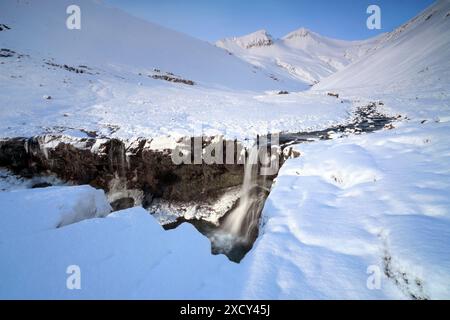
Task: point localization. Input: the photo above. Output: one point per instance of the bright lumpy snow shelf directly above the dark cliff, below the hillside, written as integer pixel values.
(154, 110)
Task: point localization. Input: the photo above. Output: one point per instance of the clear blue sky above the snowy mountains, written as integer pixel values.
(215, 19)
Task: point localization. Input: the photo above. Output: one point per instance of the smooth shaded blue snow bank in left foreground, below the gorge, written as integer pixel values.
(125, 255)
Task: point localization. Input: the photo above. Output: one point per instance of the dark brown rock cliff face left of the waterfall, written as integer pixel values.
(141, 168)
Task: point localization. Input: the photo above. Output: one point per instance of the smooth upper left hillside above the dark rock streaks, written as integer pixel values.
(112, 38)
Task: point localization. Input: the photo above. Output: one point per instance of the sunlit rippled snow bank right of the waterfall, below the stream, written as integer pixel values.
(321, 235)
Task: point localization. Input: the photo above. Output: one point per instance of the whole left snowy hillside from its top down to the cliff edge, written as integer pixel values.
(116, 95)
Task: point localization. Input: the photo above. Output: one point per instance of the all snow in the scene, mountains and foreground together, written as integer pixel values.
(346, 206)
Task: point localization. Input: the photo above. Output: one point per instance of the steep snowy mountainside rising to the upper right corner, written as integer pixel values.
(414, 57)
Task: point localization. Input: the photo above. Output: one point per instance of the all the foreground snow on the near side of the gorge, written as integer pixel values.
(320, 234)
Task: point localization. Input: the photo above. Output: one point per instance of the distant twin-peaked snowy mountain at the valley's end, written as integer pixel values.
(301, 55)
